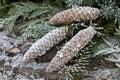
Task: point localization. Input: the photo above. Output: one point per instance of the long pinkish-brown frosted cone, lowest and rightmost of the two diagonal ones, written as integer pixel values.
(71, 48)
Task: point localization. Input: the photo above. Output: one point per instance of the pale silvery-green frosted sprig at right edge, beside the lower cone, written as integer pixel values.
(111, 53)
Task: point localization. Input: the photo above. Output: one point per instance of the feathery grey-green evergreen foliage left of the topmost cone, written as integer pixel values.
(29, 18)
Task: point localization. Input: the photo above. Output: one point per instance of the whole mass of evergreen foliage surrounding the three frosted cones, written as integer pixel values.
(31, 21)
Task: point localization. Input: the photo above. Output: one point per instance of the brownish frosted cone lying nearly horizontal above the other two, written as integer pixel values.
(74, 14)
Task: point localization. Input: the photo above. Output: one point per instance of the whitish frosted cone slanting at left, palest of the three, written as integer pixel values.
(40, 47)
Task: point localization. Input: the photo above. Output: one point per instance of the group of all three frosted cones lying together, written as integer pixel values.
(72, 47)
